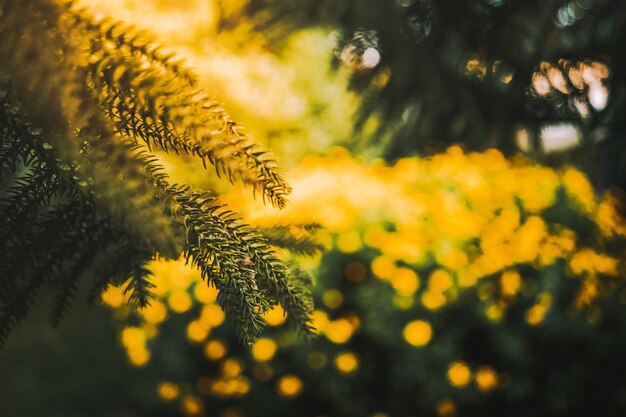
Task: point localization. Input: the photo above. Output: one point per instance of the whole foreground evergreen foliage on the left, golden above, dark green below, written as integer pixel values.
(83, 103)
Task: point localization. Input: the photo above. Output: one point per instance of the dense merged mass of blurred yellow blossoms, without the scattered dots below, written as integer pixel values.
(473, 215)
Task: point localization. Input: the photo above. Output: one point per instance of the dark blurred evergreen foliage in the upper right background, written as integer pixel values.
(458, 71)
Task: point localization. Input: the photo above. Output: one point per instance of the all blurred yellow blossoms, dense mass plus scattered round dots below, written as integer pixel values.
(436, 227)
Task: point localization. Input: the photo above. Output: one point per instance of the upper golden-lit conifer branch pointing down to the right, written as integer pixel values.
(183, 116)
